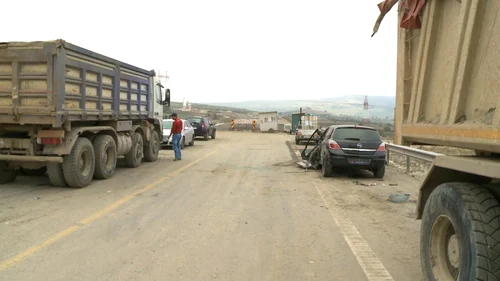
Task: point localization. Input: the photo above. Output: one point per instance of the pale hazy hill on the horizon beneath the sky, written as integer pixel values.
(352, 105)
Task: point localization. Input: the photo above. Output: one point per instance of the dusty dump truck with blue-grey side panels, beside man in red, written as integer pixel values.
(71, 113)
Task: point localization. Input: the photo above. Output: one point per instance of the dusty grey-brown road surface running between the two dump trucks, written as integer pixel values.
(235, 208)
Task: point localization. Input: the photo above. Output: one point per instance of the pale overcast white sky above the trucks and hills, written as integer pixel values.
(228, 50)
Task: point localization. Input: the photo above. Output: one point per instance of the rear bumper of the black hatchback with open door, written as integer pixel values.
(368, 162)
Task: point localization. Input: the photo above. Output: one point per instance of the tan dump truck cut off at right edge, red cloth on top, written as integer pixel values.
(447, 94)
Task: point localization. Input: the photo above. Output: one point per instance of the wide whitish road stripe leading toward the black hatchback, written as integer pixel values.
(369, 262)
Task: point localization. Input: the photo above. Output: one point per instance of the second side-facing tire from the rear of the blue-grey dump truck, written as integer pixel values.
(105, 156)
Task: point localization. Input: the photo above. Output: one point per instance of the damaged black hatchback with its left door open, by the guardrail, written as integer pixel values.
(342, 146)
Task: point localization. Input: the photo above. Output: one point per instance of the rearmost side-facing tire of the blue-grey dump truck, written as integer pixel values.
(79, 165)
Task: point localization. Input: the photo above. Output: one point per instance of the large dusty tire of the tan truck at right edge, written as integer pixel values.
(460, 234)
